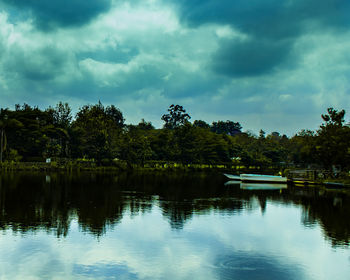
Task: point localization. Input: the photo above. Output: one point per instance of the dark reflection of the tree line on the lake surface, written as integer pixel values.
(31, 202)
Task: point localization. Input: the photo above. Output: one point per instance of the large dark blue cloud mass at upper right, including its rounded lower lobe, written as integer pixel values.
(272, 28)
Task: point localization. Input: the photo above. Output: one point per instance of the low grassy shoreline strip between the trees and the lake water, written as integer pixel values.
(90, 166)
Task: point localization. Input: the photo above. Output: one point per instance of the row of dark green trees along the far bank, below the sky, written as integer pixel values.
(99, 133)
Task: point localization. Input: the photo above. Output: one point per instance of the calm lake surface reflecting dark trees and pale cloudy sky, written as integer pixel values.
(168, 226)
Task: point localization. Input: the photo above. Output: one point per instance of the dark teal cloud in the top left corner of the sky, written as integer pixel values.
(60, 13)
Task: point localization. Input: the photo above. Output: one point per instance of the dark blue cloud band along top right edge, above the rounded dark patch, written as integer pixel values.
(272, 18)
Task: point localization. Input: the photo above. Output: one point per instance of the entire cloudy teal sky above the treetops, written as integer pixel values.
(272, 64)
